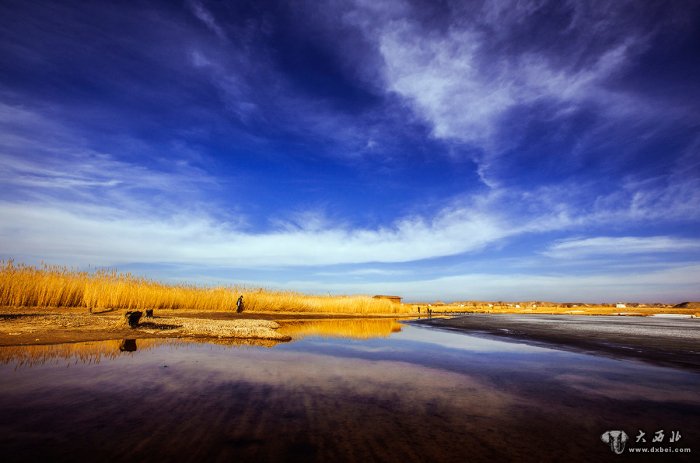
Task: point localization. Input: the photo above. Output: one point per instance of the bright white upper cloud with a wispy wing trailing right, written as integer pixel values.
(464, 94)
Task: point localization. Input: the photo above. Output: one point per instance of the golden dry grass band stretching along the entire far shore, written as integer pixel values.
(59, 287)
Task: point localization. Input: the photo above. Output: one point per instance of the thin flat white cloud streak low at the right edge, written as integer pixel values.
(582, 247)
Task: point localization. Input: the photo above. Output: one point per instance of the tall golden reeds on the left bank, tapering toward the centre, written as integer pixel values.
(53, 286)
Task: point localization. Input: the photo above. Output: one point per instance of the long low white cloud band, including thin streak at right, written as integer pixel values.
(110, 233)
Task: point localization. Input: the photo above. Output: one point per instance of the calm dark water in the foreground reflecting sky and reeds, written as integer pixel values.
(345, 391)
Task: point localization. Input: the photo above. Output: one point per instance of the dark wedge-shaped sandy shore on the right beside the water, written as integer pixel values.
(667, 341)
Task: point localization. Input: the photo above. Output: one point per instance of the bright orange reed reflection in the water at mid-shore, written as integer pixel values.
(360, 329)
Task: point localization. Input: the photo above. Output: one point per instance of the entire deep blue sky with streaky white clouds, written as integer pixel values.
(529, 150)
